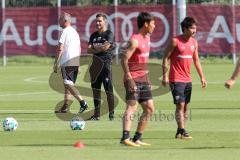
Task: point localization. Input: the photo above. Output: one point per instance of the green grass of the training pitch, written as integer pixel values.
(26, 96)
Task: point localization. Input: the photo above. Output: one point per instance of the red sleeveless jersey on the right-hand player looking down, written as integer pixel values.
(181, 60)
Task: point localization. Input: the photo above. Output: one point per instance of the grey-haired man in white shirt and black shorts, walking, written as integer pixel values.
(68, 57)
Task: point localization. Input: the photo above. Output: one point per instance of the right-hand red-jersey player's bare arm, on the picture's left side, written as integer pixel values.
(166, 58)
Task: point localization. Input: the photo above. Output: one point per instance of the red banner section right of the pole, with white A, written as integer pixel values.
(218, 30)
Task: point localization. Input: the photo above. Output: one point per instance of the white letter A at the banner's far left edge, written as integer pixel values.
(9, 24)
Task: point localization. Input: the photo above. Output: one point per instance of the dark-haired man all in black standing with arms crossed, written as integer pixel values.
(101, 45)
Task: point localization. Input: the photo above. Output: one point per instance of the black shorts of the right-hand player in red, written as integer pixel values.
(181, 92)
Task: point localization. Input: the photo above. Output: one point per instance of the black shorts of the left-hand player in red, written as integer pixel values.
(142, 94)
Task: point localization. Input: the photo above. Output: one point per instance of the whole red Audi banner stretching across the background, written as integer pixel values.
(35, 30)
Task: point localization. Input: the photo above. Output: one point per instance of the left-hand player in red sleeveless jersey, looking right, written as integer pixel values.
(136, 81)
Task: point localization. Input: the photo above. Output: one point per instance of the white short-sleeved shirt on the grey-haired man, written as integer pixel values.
(71, 47)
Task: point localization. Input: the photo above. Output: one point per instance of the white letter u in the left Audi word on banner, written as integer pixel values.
(38, 40)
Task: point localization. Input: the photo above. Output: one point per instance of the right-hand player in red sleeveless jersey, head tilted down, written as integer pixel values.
(182, 50)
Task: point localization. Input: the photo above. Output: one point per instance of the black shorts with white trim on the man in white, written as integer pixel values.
(69, 74)
